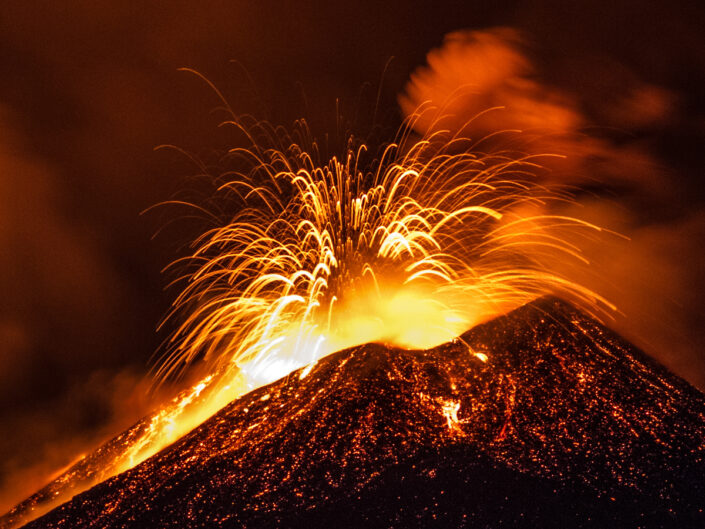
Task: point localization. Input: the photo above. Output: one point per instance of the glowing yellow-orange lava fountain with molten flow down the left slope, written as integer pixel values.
(410, 249)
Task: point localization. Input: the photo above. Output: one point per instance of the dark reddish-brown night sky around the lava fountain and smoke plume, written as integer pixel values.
(89, 89)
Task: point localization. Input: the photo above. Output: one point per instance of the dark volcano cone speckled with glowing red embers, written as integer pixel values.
(564, 425)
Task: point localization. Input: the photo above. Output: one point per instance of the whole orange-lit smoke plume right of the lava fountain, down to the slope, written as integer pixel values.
(655, 276)
